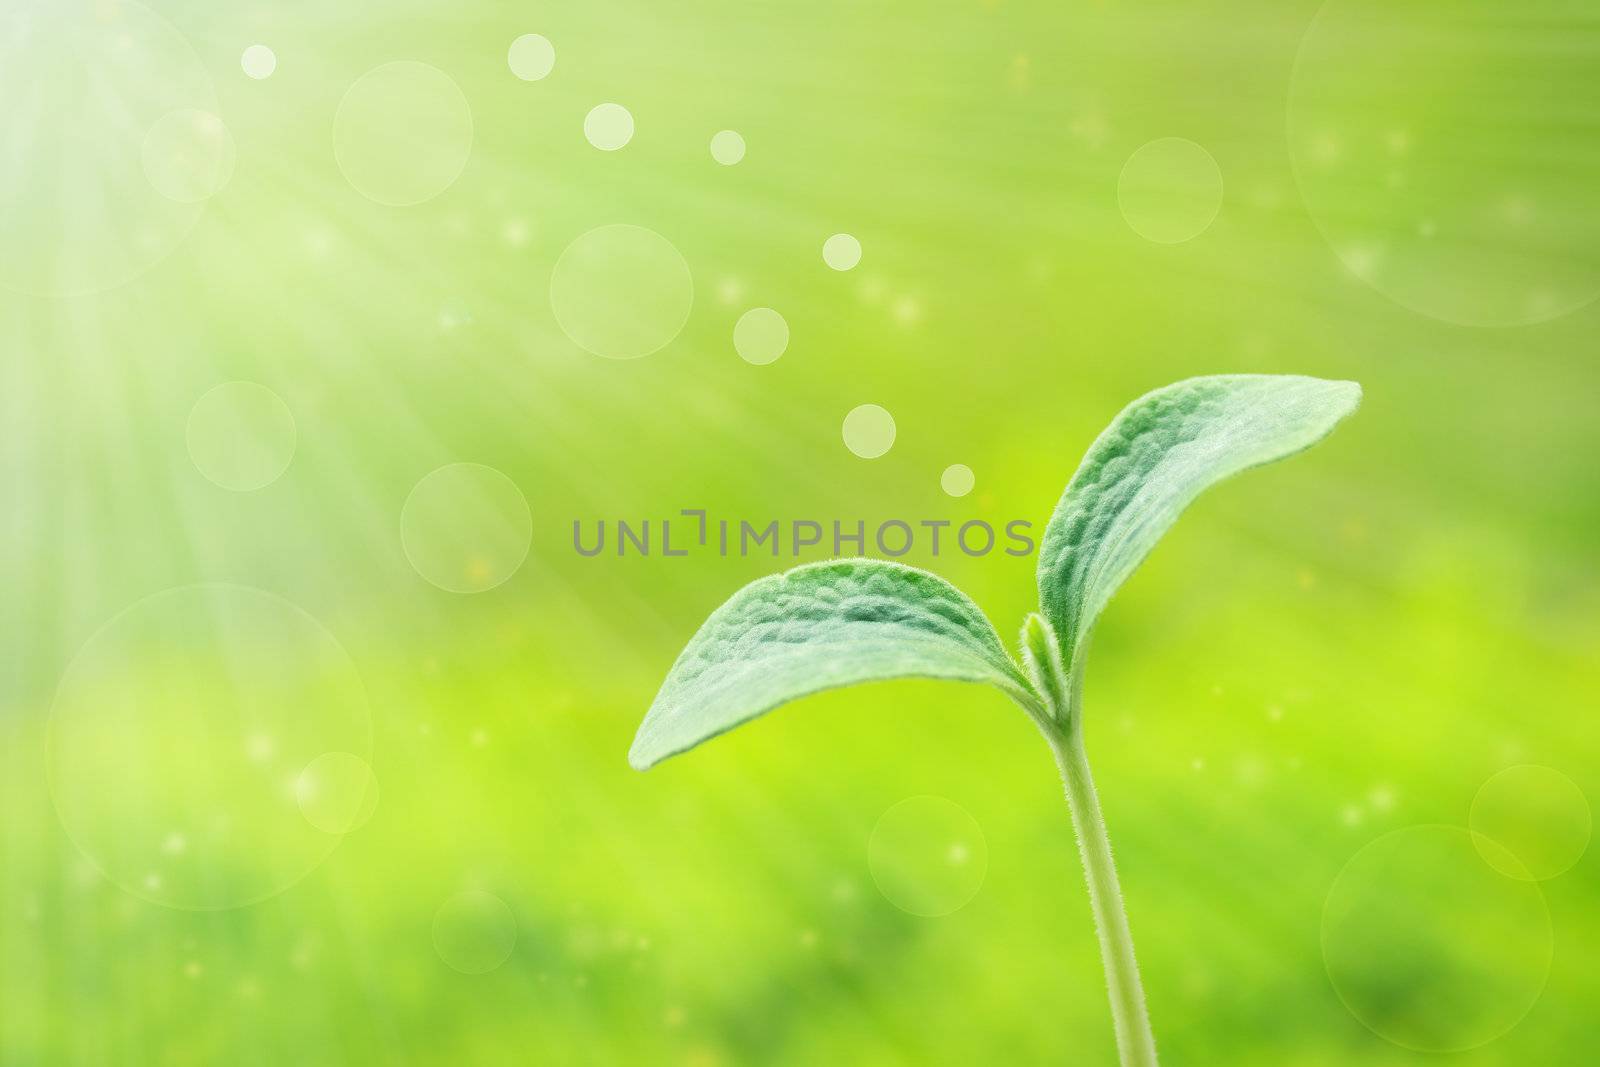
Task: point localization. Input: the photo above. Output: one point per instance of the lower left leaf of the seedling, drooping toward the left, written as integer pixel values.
(818, 628)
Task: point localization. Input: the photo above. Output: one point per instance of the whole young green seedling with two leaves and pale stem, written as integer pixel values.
(846, 621)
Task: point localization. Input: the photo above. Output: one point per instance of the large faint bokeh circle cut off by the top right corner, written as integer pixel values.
(1438, 151)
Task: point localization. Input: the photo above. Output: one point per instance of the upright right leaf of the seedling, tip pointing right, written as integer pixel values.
(1158, 457)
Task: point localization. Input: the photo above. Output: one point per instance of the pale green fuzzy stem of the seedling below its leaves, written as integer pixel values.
(1135, 1041)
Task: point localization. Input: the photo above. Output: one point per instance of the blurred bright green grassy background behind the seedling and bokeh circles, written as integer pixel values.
(1404, 612)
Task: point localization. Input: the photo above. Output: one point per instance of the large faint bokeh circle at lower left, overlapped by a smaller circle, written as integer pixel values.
(178, 735)
